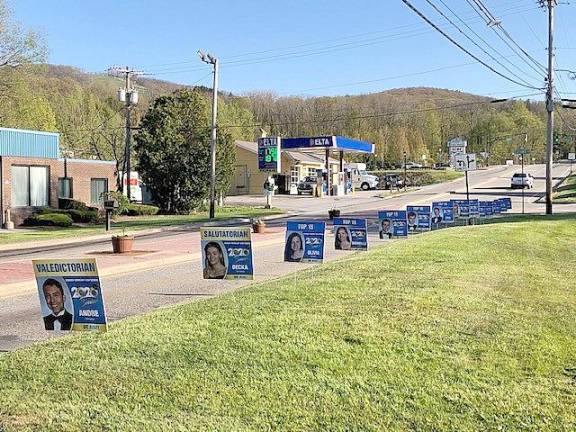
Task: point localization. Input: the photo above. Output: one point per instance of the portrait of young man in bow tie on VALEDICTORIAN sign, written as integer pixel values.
(56, 305)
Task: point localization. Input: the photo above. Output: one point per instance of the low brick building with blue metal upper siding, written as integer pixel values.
(33, 175)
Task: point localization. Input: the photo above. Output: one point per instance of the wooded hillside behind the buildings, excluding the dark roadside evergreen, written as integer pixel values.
(418, 121)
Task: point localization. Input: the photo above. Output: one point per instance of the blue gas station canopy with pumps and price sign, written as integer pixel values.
(270, 151)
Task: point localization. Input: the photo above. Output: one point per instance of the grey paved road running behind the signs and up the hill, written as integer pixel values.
(140, 291)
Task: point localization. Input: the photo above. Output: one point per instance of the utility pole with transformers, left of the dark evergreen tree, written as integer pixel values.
(130, 98)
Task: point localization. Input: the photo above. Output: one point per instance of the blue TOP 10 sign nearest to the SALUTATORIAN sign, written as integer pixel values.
(304, 241)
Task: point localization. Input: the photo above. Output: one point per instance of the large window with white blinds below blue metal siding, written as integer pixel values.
(29, 186)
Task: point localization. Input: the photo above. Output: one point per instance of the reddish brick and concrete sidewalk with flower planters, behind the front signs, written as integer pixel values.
(17, 276)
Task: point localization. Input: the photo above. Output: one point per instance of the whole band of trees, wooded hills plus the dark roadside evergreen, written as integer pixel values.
(171, 121)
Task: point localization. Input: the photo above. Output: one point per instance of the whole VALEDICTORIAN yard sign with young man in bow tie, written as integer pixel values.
(70, 295)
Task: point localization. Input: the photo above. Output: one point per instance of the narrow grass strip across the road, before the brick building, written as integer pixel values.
(130, 224)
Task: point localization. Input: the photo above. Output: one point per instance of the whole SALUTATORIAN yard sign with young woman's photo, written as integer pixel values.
(226, 253)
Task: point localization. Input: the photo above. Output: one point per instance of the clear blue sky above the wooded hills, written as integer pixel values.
(315, 47)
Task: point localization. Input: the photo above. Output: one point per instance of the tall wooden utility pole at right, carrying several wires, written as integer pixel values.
(550, 4)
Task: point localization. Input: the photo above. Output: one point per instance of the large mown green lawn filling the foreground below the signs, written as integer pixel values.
(464, 329)
